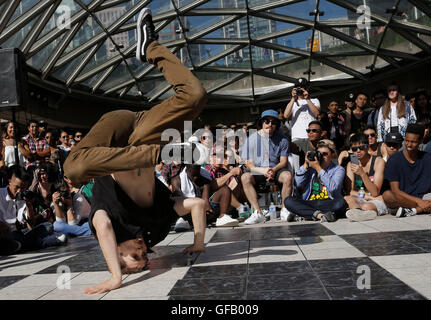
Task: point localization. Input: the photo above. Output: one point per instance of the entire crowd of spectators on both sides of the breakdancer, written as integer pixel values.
(358, 159)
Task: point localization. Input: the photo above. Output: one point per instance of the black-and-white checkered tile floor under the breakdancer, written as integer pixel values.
(387, 258)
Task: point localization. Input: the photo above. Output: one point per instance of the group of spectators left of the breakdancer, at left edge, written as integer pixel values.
(39, 207)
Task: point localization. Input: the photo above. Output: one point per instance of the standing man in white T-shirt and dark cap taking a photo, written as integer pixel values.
(301, 109)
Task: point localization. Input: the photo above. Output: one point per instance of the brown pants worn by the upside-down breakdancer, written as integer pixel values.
(124, 140)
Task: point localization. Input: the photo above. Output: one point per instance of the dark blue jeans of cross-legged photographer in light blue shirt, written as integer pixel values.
(307, 209)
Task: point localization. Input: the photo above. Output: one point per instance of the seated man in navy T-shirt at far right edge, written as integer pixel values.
(408, 173)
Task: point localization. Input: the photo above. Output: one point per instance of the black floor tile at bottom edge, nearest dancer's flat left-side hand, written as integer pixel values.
(199, 287)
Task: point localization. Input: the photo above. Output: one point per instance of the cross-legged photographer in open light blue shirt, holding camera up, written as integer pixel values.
(320, 185)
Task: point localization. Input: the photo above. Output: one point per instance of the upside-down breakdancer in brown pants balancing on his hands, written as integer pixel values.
(131, 211)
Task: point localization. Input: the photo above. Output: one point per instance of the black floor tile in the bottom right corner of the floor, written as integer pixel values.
(399, 292)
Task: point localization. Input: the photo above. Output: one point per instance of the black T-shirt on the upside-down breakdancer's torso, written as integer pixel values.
(130, 221)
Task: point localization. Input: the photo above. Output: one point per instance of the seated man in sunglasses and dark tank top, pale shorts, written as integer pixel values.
(367, 173)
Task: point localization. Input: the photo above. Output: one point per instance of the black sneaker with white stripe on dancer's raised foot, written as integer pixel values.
(146, 33)
